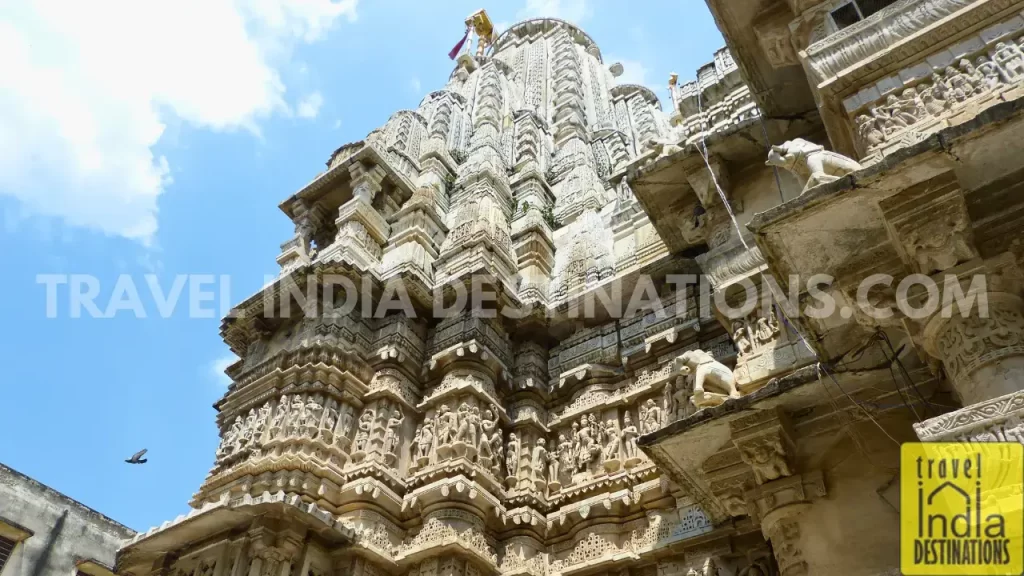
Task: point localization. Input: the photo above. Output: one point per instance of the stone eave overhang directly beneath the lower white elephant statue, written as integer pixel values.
(682, 448)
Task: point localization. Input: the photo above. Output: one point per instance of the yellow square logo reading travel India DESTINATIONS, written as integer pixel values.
(962, 509)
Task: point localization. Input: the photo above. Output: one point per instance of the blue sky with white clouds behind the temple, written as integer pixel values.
(159, 138)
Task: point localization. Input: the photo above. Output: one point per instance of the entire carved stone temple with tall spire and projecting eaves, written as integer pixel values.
(851, 139)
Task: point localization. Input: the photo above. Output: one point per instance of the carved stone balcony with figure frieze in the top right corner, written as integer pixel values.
(915, 68)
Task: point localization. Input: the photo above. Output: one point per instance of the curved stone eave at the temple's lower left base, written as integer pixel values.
(227, 515)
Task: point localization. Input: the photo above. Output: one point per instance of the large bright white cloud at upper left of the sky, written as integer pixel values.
(89, 89)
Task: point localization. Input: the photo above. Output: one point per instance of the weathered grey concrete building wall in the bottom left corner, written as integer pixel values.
(56, 547)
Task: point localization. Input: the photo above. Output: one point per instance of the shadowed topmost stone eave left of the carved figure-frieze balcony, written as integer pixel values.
(781, 89)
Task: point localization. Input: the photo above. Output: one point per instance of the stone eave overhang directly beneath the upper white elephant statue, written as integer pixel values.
(846, 216)
